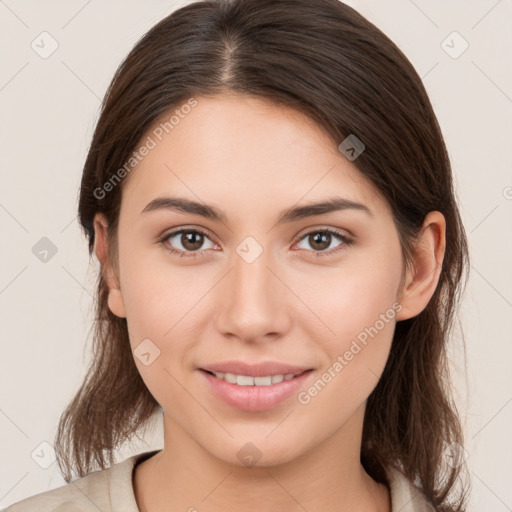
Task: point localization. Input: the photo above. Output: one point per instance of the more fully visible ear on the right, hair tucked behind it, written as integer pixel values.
(421, 279)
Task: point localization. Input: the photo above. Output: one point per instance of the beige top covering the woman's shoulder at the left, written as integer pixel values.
(108, 490)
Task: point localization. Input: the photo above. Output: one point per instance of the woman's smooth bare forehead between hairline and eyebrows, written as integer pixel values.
(244, 151)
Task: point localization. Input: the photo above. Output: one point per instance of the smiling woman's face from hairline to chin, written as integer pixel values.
(257, 286)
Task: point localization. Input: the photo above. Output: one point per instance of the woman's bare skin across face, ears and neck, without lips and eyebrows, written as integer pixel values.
(252, 159)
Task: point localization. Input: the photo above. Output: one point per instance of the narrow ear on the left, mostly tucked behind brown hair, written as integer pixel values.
(103, 252)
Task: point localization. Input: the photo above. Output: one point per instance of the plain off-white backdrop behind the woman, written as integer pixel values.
(49, 105)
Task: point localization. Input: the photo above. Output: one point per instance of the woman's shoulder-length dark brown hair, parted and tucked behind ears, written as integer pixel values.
(324, 59)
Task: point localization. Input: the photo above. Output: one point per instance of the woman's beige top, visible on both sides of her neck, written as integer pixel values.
(111, 490)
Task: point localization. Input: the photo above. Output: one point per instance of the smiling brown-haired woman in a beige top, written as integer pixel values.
(271, 202)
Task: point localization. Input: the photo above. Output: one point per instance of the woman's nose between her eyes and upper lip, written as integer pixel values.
(254, 303)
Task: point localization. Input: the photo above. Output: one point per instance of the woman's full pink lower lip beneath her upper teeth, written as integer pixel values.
(255, 398)
